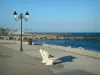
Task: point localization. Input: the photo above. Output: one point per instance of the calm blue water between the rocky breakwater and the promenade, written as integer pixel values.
(86, 44)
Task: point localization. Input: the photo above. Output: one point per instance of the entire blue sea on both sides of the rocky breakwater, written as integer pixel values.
(93, 45)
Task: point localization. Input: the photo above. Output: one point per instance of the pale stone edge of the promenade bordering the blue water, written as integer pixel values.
(79, 50)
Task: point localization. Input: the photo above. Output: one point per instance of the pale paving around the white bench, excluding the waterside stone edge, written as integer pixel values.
(72, 64)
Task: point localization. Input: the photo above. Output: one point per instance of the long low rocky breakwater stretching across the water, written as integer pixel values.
(48, 37)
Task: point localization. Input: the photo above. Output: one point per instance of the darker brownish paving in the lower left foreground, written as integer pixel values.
(14, 62)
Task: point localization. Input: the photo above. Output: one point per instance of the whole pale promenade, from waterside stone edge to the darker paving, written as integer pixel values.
(86, 62)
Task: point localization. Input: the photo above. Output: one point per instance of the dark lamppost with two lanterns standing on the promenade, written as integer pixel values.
(20, 17)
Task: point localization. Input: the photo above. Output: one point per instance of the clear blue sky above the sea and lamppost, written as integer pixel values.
(52, 15)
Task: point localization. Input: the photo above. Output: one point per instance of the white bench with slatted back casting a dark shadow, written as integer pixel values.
(46, 59)
